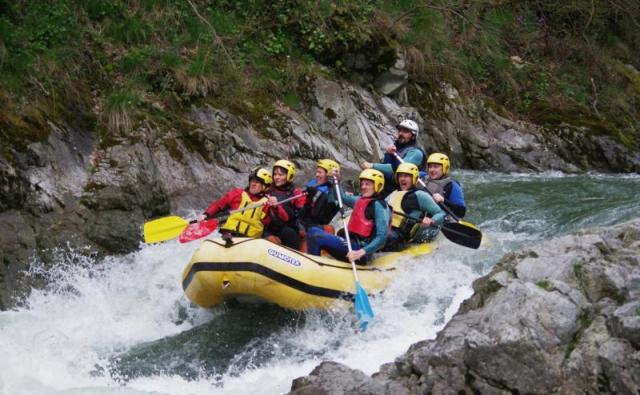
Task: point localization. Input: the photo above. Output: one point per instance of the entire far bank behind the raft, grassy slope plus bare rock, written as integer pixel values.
(154, 120)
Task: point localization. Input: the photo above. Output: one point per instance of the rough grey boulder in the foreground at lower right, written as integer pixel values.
(561, 317)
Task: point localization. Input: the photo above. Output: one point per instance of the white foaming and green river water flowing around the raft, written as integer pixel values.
(123, 326)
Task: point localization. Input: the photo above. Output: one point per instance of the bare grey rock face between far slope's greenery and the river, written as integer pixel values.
(67, 192)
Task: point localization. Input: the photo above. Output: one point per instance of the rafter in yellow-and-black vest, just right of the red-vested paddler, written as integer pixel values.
(413, 210)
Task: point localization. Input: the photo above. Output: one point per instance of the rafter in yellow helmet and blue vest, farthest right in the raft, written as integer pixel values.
(444, 189)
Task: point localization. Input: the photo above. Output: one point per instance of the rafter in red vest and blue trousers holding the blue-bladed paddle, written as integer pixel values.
(368, 224)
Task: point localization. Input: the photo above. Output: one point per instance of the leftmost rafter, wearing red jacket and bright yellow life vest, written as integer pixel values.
(250, 222)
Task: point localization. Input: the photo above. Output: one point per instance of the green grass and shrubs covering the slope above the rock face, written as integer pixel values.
(553, 63)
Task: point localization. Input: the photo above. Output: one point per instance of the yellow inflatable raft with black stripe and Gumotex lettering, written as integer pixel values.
(280, 275)
